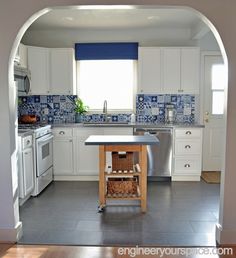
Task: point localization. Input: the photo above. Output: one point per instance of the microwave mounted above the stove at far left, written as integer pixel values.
(23, 78)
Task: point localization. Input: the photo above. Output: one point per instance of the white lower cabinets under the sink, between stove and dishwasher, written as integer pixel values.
(73, 160)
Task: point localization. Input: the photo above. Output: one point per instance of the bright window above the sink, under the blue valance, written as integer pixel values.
(111, 80)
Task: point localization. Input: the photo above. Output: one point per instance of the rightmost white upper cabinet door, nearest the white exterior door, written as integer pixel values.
(190, 70)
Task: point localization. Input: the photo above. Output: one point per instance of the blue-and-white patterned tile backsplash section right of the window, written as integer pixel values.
(151, 108)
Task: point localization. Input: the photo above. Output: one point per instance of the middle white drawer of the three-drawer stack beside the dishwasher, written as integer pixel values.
(185, 147)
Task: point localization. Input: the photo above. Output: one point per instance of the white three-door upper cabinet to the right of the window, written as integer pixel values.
(168, 70)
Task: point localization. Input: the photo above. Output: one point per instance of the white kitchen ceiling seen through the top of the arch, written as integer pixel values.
(116, 19)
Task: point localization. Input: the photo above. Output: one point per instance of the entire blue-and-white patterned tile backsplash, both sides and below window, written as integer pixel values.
(149, 108)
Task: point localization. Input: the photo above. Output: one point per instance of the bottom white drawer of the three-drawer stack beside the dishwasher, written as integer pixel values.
(187, 166)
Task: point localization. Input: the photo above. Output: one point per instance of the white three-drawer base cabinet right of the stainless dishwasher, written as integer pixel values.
(187, 158)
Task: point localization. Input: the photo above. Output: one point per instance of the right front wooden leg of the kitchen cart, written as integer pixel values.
(143, 161)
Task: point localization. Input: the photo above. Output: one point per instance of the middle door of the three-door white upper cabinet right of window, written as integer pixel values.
(171, 70)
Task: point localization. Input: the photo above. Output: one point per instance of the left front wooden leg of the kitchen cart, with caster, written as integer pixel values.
(102, 182)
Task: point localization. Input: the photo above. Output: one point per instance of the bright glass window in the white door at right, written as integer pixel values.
(218, 85)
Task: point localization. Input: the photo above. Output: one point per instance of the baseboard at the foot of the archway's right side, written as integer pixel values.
(224, 237)
